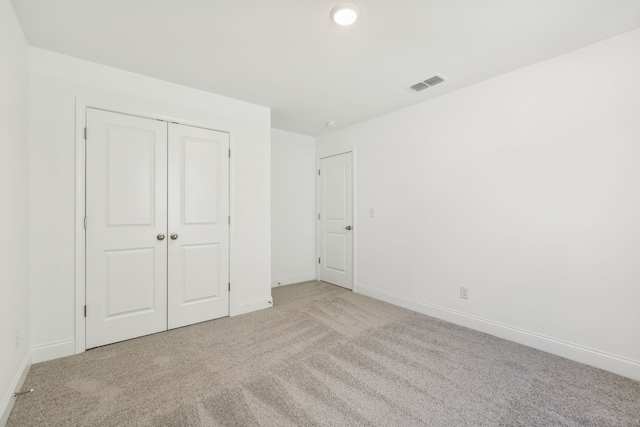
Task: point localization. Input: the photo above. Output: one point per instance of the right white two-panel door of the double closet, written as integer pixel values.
(198, 245)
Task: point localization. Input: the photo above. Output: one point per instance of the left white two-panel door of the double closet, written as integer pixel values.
(126, 210)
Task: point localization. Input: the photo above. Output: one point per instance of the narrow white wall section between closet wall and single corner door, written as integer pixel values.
(293, 208)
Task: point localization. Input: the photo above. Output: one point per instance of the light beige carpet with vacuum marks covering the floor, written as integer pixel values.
(323, 356)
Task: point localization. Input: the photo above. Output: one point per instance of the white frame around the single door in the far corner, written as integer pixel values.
(353, 211)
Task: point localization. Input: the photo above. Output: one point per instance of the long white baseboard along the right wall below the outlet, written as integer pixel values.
(609, 362)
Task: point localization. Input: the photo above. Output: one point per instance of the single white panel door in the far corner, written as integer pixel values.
(336, 220)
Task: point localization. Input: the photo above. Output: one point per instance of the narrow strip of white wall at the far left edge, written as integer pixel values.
(14, 208)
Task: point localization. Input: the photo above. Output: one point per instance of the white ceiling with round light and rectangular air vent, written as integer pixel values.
(288, 55)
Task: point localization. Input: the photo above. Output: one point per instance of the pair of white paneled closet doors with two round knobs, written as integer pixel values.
(157, 233)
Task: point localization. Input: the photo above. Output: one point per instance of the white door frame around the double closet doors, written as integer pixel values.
(81, 106)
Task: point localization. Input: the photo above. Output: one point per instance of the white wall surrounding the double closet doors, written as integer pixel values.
(55, 82)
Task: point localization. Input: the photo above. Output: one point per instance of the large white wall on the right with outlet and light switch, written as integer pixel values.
(525, 188)
